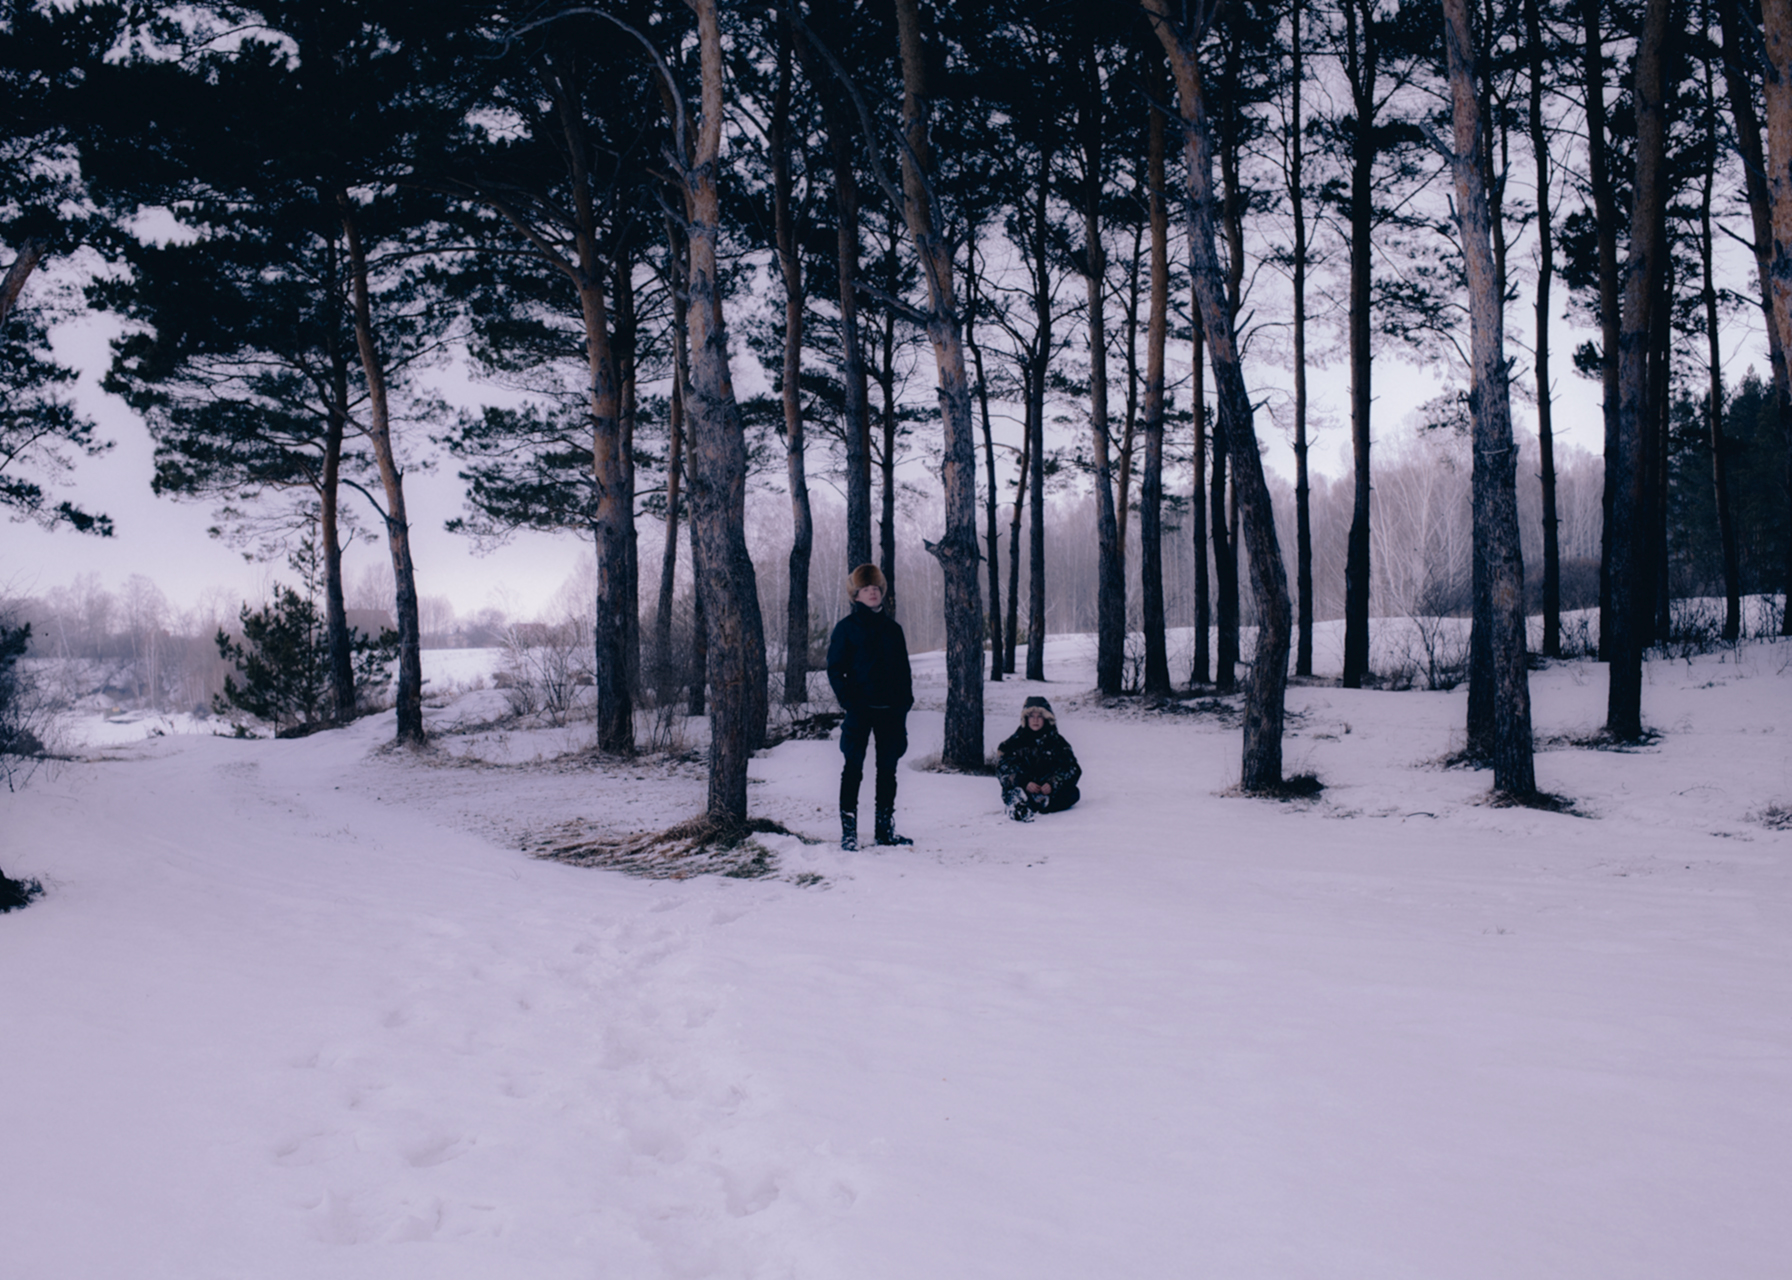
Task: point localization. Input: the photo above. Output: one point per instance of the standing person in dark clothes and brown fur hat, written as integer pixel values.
(868, 666)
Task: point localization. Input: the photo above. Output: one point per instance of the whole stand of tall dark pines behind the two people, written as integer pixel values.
(585, 202)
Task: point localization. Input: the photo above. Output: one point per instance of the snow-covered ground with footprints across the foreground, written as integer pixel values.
(300, 1010)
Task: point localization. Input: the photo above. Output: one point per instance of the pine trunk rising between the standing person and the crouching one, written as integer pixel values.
(958, 548)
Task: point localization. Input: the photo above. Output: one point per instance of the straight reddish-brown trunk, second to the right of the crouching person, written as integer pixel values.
(1151, 494)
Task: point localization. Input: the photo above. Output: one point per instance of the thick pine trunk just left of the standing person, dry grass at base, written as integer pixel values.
(719, 471)
